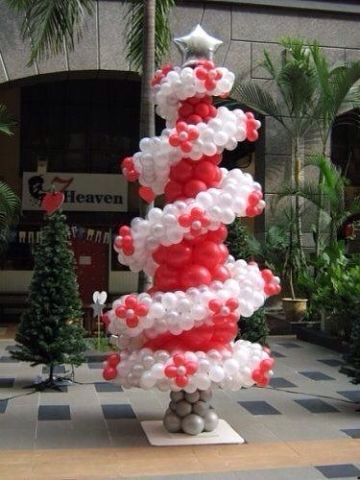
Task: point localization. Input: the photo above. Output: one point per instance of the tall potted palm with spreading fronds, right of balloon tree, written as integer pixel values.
(309, 95)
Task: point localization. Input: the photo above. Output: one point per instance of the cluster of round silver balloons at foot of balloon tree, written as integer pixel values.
(190, 413)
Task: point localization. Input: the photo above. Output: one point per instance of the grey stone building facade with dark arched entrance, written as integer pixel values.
(78, 115)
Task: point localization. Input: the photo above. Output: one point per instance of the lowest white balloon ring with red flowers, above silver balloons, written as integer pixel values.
(191, 371)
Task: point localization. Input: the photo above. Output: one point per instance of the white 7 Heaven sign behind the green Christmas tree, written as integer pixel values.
(86, 192)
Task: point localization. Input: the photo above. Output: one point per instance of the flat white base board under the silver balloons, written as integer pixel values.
(159, 437)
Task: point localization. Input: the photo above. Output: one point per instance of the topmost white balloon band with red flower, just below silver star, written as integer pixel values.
(182, 83)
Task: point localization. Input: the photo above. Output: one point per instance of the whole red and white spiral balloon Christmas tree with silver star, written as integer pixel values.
(179, 336)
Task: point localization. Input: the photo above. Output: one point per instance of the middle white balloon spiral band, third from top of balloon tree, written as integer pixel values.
(161, 227)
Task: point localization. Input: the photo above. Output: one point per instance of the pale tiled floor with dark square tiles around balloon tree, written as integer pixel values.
(308, 401)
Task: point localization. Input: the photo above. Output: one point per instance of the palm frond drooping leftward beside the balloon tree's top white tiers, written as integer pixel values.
(256, 97)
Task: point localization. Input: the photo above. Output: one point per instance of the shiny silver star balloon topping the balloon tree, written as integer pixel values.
(197, 45)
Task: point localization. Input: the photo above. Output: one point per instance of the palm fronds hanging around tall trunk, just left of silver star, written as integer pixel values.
(134, 32)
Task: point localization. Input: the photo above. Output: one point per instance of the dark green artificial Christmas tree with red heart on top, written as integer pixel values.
(50, 331)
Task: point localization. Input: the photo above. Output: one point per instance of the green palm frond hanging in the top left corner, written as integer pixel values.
(51, 25)
